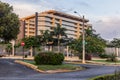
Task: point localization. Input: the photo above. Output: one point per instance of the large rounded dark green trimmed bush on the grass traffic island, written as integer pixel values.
(49, 58)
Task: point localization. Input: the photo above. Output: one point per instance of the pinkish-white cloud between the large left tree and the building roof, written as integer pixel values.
(26, 9)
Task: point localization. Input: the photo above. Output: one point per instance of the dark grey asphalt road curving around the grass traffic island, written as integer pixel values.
(12, 71)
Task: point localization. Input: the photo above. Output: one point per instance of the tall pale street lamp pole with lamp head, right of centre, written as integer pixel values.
(83, 37)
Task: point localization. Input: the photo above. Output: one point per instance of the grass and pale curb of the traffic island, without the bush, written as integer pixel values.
(50, 68)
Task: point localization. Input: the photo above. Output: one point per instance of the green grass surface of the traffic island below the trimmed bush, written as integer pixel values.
(56, 67)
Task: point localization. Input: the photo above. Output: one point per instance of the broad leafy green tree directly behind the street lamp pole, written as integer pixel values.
(93, 43)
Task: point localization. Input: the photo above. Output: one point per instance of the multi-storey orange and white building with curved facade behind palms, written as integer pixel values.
(31, 25)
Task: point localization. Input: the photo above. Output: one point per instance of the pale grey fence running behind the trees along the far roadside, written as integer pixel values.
(63, 49)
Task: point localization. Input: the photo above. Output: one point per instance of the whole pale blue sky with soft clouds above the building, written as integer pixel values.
(104, 15)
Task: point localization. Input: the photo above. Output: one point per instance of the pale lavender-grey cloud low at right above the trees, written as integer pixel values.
(108, 27)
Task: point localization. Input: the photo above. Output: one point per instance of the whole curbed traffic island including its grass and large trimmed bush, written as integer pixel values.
(49, 62)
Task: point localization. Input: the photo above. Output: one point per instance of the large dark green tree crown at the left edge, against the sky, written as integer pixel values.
(9, 22)
